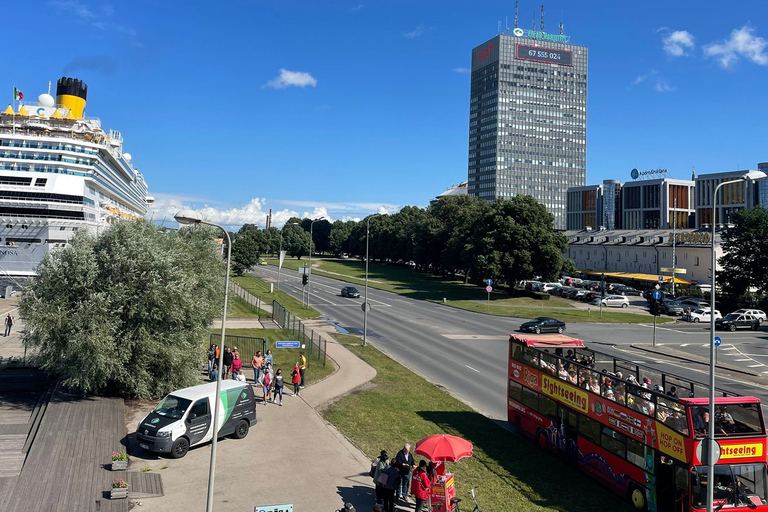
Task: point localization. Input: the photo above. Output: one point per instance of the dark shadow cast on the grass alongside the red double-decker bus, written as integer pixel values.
(543, 479)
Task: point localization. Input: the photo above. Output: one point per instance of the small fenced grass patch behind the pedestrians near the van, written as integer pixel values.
(284, 358)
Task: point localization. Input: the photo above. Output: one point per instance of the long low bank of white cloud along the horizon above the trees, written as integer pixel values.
(257, 210)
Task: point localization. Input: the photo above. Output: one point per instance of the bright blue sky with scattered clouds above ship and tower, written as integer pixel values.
(345, 108)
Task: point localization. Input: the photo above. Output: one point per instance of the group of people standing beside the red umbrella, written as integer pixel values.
(396, 478)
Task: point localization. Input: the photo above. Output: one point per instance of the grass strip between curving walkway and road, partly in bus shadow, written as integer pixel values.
(510, 474)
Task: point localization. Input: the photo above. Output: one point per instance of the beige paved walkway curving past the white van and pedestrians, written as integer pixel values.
(290, 456)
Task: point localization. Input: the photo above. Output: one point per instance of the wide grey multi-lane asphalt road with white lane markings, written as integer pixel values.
(466, 352)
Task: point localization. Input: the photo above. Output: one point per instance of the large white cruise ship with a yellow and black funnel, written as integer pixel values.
(60, 172)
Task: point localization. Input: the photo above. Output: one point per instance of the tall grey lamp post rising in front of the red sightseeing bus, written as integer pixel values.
(751, 176)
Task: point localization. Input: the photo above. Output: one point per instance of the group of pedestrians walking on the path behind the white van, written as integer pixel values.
(270, 380)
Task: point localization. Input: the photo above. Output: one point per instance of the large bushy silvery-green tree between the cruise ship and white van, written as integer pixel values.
(125, 312)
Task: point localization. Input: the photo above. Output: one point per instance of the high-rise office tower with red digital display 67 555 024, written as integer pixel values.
(528, 119)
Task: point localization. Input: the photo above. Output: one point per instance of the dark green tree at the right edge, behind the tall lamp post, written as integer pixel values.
(745, 253)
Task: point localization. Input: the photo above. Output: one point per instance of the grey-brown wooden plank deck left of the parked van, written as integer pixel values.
(67, 465)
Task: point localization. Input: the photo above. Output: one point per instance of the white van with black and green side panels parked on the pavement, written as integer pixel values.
(184, 418)
